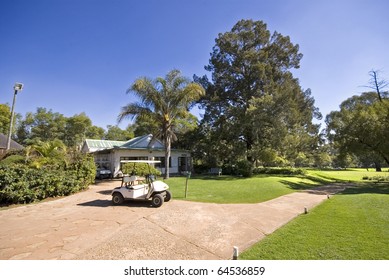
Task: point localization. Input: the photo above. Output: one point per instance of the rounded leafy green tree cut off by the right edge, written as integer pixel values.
(361, 127)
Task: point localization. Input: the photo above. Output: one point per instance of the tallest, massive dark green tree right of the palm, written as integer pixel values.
(254, 107)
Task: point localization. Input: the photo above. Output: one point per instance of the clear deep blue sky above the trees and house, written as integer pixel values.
(78, 56)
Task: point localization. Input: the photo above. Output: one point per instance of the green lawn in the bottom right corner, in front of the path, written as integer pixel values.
(350, 226)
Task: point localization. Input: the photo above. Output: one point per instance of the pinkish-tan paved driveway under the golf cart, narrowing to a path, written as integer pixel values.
(87, 226)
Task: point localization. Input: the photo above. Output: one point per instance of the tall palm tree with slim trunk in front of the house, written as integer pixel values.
(162, 101)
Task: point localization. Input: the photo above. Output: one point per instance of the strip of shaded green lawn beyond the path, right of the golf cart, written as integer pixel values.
(227, 189)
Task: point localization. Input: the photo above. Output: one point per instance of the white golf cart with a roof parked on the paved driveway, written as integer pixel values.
(141, 188)
